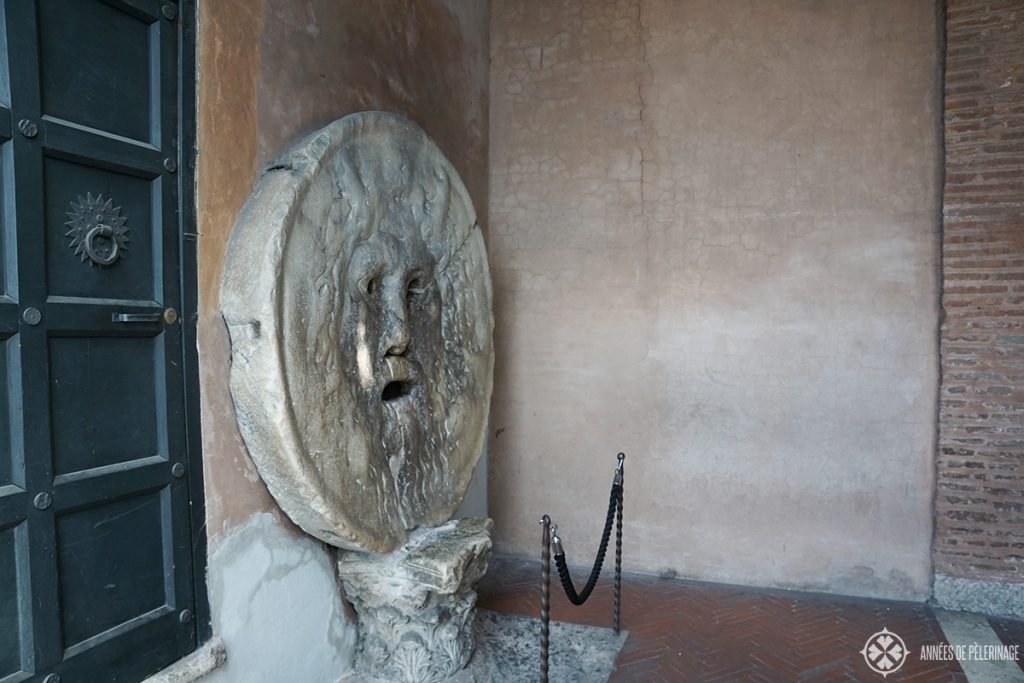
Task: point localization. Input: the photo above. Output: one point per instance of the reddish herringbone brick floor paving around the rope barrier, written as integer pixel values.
(693, 631)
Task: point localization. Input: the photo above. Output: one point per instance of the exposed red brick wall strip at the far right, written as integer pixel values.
(980, 500)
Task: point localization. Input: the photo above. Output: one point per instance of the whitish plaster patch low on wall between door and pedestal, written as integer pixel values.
(278, 608)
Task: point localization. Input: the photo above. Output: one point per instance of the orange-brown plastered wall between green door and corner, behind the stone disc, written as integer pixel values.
(269, 73)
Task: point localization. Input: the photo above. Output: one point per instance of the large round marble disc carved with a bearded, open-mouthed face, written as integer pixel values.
(358, 300)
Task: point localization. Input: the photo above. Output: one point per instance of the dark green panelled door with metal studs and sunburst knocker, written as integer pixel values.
(96, 552)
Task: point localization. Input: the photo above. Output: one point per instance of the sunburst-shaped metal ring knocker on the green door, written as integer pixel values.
(98, 231)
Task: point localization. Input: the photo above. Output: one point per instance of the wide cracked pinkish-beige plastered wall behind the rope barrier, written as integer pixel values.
(714, 238)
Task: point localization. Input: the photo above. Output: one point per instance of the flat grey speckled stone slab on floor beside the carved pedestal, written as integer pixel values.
(508, 651)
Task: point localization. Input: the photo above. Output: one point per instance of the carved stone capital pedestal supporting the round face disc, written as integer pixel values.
(416, 604)
